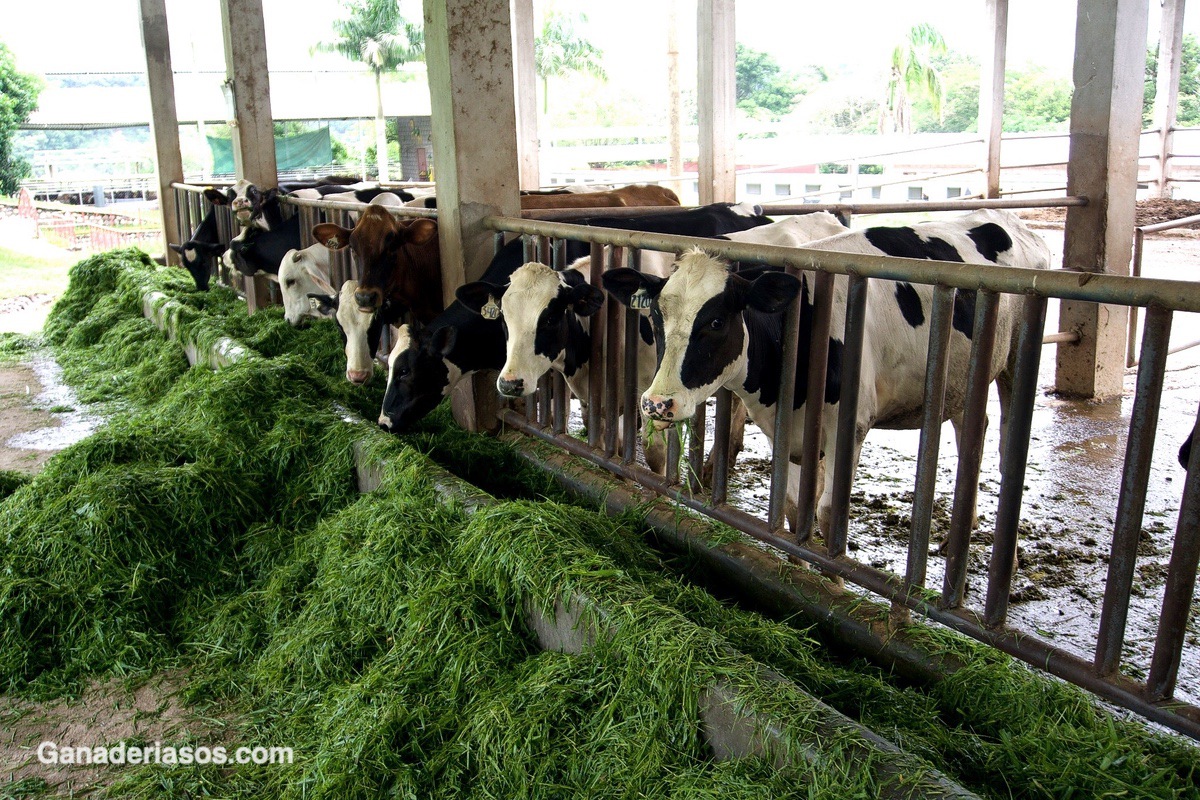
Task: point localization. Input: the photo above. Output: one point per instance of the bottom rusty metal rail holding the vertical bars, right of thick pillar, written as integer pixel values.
(1177, 715)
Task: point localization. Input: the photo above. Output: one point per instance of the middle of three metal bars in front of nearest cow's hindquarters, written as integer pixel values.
(975, 422)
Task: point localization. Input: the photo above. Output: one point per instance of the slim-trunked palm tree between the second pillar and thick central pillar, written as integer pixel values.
(379, 37)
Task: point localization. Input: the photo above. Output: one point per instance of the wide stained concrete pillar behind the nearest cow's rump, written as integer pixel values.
(1106, 123)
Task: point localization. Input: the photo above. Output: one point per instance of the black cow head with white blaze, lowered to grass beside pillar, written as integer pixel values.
(419, 375)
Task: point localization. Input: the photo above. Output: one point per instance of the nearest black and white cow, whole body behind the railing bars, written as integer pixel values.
(718, 329)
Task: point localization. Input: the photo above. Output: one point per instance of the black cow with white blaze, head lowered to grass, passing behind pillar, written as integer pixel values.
(424, 366)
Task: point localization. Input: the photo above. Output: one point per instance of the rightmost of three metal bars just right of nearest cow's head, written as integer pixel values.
(848, 416)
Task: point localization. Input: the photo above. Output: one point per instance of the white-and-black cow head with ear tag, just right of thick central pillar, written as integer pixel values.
(539, 312)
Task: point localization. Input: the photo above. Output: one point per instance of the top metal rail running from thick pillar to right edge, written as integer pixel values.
(1093, 287)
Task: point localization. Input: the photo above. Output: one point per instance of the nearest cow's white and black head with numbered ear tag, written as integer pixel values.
(700, 324)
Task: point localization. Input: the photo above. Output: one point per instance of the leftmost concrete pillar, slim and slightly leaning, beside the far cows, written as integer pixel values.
(164, 122)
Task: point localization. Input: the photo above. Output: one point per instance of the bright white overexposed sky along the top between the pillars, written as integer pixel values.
(104, 35)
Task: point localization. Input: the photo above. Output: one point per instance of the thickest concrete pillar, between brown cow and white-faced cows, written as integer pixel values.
(469, 50)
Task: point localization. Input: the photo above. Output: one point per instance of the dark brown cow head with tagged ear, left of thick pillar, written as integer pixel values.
(387, 249)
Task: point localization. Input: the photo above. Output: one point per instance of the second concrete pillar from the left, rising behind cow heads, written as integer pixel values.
(254, 129)
